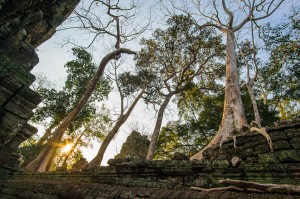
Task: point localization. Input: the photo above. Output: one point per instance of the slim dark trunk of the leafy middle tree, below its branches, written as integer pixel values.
(155, 134)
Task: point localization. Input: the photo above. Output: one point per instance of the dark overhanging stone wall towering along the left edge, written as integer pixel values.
(24, 25)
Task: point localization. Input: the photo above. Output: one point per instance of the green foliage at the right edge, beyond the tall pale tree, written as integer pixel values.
(280, 77)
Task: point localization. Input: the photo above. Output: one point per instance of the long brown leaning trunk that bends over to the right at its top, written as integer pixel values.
(39, 164)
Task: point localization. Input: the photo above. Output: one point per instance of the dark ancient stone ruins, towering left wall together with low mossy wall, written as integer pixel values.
(24, 25)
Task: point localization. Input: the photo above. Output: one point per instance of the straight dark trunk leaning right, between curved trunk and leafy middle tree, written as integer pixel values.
(96, 161)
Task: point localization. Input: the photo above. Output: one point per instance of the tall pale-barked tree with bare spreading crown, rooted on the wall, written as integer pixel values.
(229, 17)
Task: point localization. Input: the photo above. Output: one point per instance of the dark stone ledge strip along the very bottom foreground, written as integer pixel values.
(55, 189)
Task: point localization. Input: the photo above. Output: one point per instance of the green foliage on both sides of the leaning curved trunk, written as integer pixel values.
(58, 103)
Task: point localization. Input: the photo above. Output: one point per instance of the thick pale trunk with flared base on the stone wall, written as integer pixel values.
(233, 113)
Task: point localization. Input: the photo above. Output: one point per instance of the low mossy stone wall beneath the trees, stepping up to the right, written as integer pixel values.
(174, 178)
